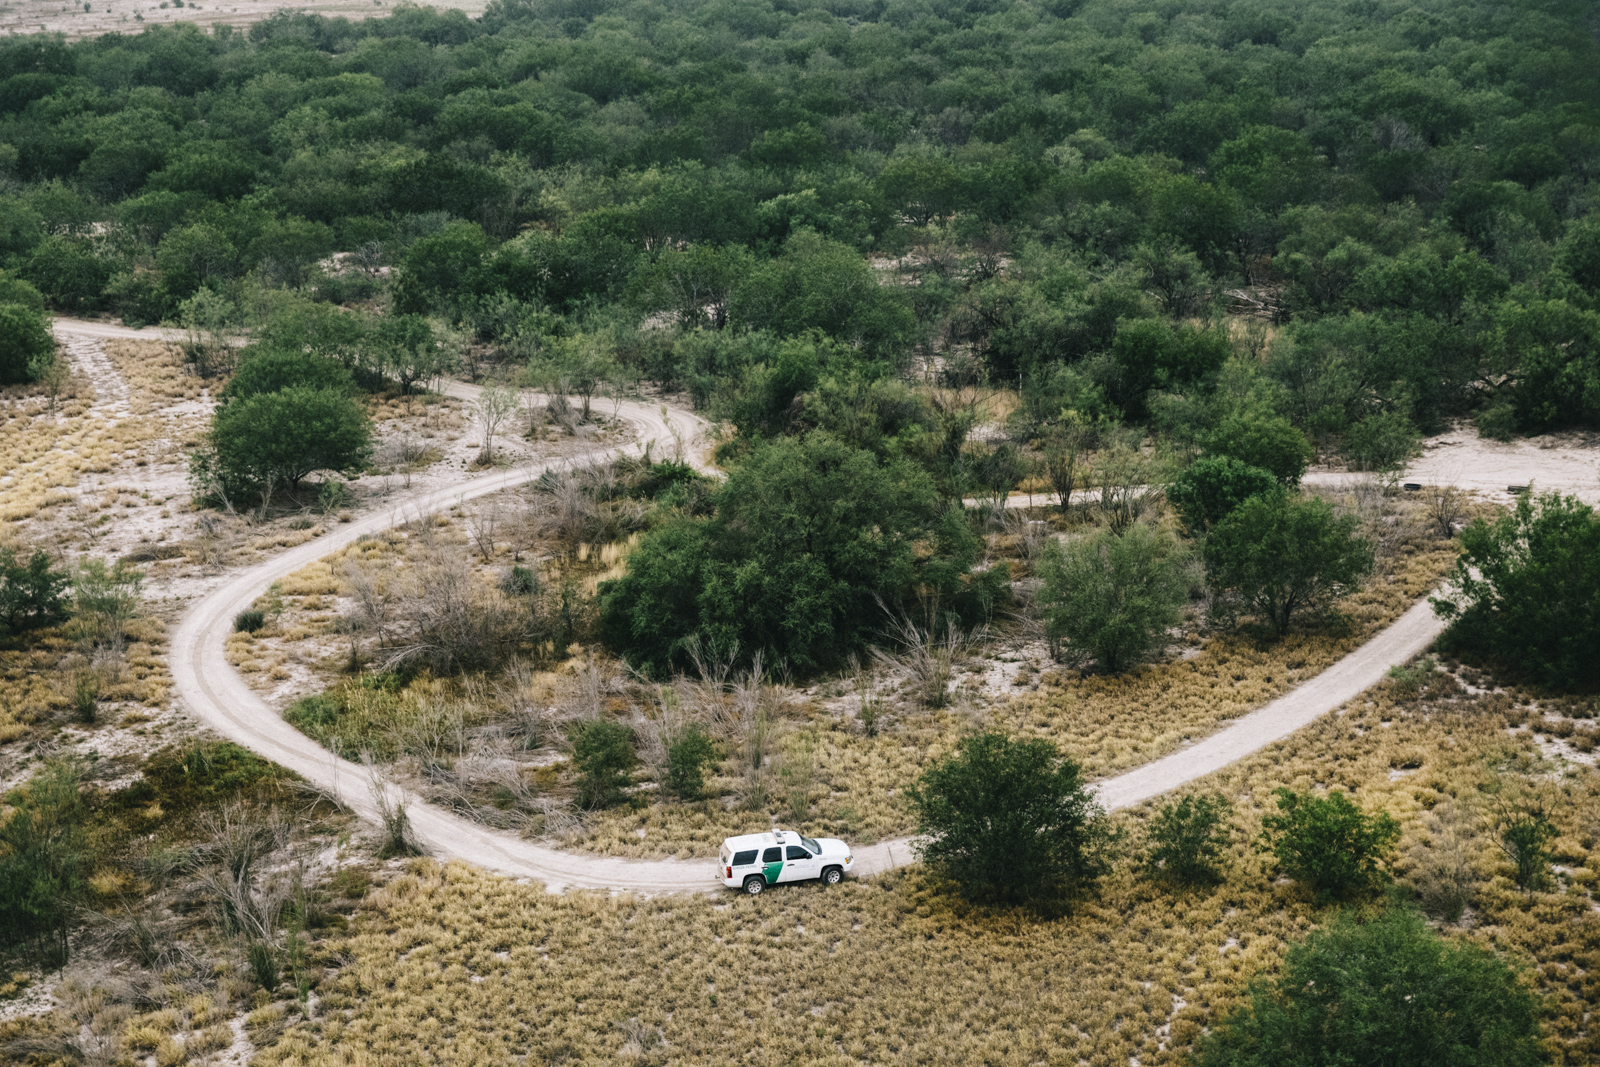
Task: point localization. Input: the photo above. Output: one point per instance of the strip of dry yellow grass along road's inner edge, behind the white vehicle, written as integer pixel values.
(1110, 724)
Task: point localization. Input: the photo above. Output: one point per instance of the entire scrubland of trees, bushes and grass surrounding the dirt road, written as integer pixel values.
(1146, 265)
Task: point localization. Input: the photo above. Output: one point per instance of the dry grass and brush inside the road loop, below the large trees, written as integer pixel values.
(470, 681)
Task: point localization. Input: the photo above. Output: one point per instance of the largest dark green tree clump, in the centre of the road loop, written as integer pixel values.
(809, 545)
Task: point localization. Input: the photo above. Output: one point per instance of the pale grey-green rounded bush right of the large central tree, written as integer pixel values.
(1114, 597)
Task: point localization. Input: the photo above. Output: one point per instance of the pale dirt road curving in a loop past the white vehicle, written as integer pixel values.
(220, 698)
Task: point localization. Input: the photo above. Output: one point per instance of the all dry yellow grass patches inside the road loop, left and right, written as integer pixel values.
(852, 785)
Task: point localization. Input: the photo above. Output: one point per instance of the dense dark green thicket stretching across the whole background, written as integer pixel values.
(1406, 185)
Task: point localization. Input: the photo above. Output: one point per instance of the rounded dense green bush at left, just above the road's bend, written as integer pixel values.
(281, 438)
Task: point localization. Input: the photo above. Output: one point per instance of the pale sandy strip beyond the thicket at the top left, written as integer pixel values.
(132, 17)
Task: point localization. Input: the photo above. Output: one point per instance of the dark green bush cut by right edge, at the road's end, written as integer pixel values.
(1526, 593)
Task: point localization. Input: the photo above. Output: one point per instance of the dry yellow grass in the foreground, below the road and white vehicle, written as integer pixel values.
(452, 965)
